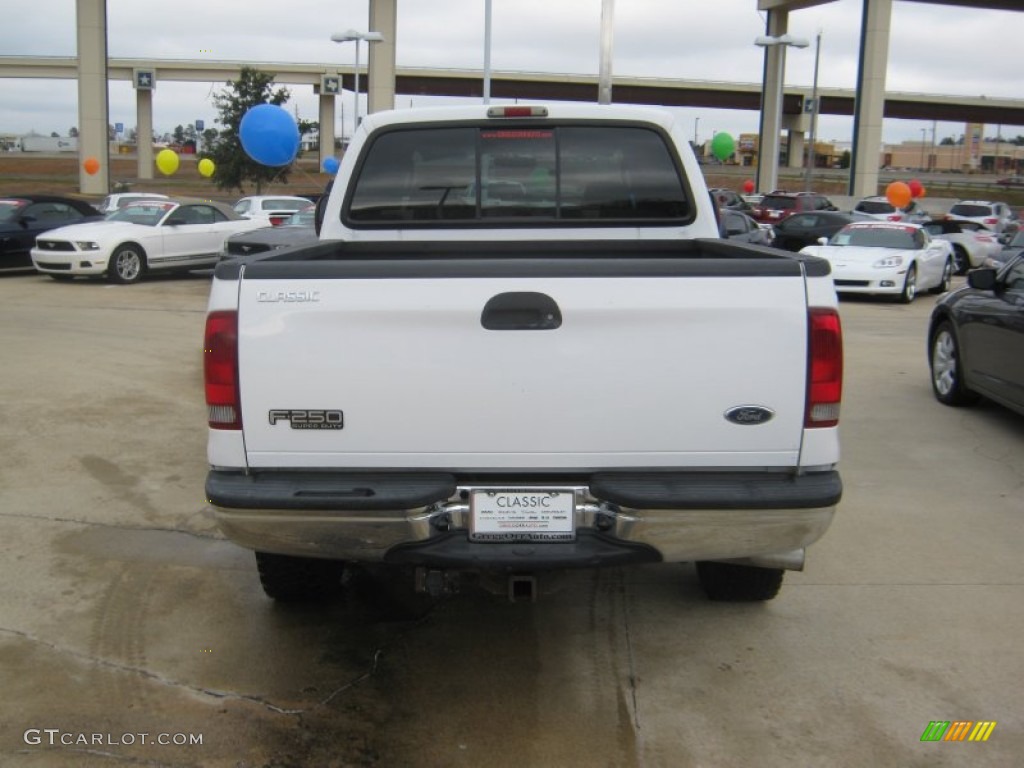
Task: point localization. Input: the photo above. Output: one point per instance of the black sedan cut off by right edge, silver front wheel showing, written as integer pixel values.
(976, 339)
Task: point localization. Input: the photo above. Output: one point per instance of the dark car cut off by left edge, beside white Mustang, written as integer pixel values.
(25, 217)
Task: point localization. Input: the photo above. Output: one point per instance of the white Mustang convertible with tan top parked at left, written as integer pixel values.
(147, 236)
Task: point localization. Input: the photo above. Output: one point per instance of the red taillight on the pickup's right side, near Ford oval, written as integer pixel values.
(825, 369)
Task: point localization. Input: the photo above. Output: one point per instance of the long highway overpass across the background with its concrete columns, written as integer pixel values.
(869, 104)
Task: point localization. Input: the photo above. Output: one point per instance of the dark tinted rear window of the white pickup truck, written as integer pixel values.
(527, 174)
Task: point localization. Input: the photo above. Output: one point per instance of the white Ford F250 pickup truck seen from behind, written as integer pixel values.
(521, 347)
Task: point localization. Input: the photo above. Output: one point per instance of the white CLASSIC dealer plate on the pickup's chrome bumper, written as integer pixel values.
(523, 517)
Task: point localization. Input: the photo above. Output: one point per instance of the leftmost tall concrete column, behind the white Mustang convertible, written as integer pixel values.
(93, 104)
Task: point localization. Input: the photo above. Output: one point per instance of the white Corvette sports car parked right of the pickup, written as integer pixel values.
(897, 260)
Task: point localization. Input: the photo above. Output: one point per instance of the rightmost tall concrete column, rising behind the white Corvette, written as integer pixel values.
(870, 102)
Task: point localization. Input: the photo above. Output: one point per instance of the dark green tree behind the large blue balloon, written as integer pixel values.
(234, 166)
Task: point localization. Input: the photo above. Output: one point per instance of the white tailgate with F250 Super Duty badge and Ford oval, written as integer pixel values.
(573, 366)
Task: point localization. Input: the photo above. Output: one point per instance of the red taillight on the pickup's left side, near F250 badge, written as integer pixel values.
(221, 370)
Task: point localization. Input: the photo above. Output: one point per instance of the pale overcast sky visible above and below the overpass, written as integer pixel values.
(933, 50)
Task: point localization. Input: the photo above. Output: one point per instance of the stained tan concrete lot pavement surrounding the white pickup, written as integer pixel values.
(123, 613)
